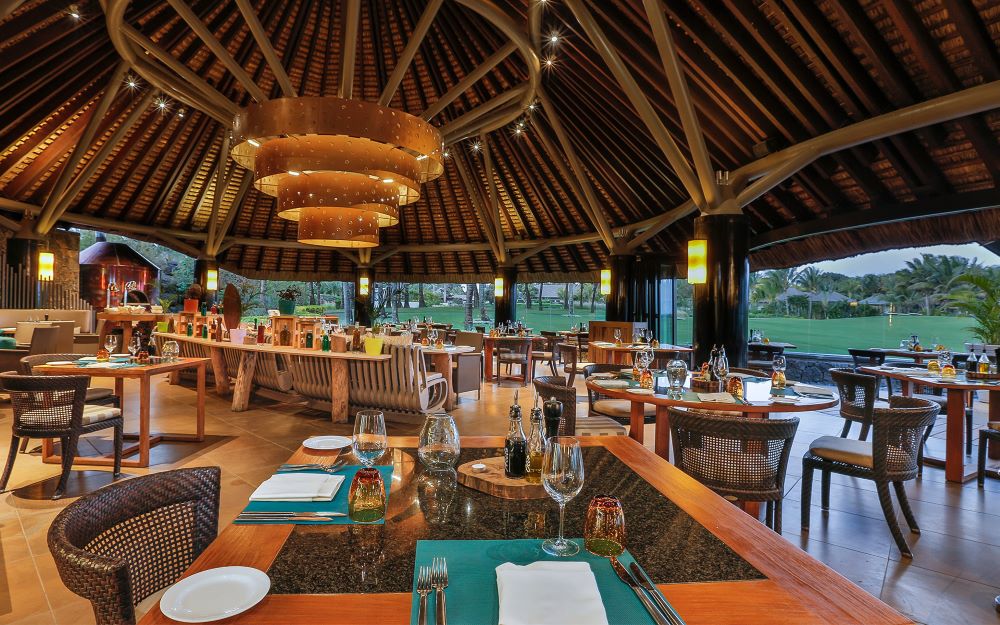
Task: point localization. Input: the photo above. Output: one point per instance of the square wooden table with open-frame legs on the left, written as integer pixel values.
(145, 438)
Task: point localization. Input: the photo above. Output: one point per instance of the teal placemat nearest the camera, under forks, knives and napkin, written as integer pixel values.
(472, 580)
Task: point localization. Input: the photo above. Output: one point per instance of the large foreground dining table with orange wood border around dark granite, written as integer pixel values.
(714, 564)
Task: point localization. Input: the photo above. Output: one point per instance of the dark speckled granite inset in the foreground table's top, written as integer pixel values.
(425, 505)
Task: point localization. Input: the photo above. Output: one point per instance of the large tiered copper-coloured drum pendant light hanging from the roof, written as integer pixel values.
(341, 168)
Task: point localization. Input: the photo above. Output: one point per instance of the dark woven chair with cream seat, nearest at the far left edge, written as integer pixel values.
(55, 407)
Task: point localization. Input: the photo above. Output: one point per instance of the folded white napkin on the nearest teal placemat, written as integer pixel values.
(549, 593)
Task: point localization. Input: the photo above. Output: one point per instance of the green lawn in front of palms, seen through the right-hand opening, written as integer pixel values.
(835, 336)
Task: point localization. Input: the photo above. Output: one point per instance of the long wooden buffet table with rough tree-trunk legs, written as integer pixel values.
(339, 375)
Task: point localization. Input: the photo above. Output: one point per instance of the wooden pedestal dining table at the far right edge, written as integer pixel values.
(957, 389)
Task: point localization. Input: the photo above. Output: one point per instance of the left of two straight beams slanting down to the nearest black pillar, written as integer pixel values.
(638, 99)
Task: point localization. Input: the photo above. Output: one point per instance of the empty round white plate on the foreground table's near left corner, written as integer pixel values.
(215, 594)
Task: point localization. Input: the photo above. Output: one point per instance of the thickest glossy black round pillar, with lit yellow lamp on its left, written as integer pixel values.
(722, 304)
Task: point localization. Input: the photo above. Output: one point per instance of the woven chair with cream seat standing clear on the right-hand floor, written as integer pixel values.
(891, 458)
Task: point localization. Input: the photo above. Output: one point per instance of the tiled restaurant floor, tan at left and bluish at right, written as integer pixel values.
(952, 579)
